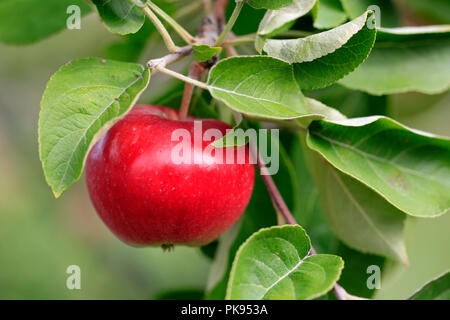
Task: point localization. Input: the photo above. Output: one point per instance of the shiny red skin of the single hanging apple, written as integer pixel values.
(148, 200)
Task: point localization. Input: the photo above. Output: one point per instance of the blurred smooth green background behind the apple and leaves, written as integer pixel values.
(40, 236)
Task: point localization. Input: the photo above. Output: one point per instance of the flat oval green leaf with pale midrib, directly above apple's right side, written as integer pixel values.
(258, 86)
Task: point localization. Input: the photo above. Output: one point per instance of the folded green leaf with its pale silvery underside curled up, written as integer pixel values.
(324, 58)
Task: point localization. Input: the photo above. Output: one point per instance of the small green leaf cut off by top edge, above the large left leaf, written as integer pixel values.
(119, 16)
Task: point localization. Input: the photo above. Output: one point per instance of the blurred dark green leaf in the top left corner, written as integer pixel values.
(28, 21)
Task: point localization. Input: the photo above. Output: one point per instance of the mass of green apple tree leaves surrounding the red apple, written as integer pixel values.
(350, 181)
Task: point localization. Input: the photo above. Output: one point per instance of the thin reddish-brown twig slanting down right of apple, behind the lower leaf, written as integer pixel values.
(280, 206)
